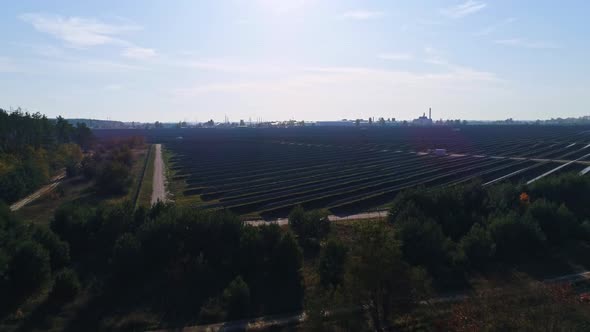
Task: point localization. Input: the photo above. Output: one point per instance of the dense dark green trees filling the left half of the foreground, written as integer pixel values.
(190, 265)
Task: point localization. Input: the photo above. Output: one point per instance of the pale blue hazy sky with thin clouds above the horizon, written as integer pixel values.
(308, 60)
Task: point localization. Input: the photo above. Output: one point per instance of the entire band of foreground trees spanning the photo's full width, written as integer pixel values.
(191, 266)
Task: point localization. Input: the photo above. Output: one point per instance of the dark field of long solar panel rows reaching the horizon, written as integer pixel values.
(267, 172)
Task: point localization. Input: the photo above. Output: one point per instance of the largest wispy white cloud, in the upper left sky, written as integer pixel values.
(78, 32)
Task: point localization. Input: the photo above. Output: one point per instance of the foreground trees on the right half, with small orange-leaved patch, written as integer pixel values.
(438, 240)
